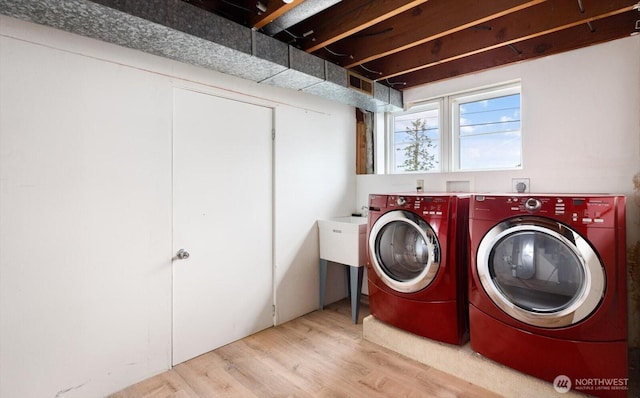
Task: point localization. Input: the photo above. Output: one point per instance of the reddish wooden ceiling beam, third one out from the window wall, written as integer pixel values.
(429, 21)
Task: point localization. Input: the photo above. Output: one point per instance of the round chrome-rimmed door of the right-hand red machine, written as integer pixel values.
(540, 272)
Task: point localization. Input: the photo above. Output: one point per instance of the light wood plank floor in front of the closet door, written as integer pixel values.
(321, 354)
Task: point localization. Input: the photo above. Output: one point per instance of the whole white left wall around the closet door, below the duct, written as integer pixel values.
(85, 206)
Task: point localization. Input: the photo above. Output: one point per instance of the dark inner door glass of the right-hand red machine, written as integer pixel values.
(536, 271)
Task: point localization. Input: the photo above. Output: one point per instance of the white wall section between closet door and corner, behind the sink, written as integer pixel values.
(315, 161)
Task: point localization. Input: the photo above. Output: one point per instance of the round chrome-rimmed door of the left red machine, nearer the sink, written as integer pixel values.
(404, 251)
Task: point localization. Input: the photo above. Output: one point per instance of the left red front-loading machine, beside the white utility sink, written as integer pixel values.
(418, 263)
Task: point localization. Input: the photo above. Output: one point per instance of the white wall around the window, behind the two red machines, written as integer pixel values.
(581, 133)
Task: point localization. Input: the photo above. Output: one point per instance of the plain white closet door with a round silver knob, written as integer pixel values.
(222, 192)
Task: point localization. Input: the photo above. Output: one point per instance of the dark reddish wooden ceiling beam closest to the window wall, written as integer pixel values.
(606, 29)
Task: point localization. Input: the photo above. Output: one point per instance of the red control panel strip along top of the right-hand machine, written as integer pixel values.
(595, 211)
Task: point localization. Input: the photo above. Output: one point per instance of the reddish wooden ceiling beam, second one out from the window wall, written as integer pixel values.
(540, 20)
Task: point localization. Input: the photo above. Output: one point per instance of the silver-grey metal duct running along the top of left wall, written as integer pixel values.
(178, 30)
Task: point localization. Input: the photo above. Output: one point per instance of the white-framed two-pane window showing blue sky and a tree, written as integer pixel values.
(478, 130)
